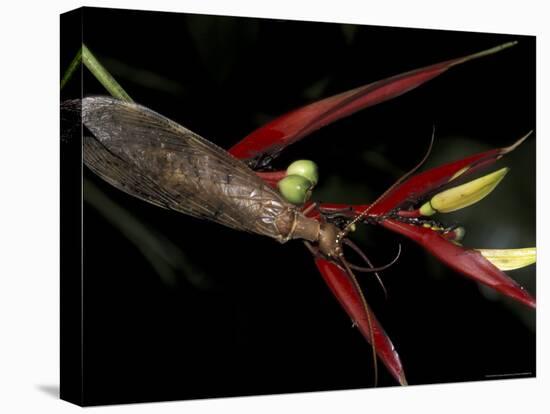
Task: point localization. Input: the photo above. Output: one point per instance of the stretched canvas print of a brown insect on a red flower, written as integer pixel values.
(258, 206)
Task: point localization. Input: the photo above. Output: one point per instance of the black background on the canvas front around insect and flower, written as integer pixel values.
(237, 314)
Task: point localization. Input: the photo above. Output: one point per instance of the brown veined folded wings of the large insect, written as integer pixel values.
(157, 160)
